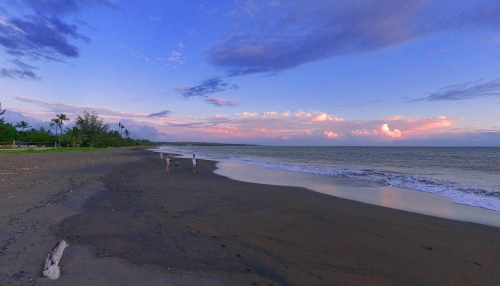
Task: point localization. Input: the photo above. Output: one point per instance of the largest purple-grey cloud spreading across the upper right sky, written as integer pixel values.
(273, 38)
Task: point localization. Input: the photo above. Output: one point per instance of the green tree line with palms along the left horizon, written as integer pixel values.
(89, 131)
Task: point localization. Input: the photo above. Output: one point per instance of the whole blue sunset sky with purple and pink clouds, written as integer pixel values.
(271, 72)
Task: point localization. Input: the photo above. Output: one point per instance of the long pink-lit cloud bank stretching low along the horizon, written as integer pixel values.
(258, 128)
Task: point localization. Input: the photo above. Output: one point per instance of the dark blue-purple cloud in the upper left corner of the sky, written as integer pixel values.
(46, 33)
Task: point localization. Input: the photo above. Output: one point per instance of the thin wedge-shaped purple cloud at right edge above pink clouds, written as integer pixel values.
(465, 91)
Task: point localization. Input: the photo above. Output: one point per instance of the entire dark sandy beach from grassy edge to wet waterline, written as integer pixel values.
(128, 222)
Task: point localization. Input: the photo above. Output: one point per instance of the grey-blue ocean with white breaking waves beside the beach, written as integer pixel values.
(467, 175)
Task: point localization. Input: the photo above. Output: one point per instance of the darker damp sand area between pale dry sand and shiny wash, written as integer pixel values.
(242, 233)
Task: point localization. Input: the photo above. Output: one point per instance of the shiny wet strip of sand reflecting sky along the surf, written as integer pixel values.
(352, 189)
